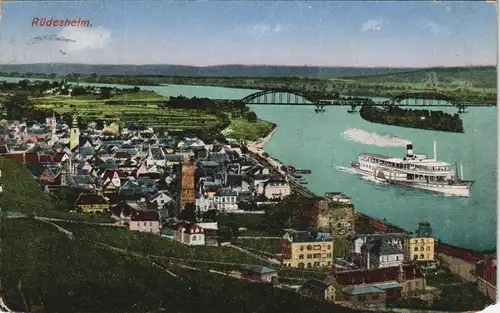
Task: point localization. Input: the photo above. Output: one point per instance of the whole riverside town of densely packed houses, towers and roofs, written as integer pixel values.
(198, 193)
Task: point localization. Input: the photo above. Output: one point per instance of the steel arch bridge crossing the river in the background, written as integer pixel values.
(282, 96)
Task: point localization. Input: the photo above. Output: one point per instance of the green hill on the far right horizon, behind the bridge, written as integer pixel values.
(477, 77)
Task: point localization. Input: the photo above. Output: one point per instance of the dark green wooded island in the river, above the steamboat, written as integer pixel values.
(422, 119)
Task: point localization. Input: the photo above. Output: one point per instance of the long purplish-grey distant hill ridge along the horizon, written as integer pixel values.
(196, 71)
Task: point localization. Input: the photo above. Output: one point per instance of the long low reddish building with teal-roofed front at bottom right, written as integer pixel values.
(396, 282)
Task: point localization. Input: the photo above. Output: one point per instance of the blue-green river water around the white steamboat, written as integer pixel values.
(319, 142)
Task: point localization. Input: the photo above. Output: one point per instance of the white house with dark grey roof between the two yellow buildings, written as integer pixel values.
(380, 253)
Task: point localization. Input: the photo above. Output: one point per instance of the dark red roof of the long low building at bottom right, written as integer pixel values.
(378, 275)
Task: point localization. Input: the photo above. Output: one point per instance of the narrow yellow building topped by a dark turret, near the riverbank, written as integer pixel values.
(420, 246)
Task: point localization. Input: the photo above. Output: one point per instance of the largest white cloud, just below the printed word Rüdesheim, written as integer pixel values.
(86, 37)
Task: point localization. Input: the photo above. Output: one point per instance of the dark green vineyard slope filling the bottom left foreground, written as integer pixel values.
(44, 271)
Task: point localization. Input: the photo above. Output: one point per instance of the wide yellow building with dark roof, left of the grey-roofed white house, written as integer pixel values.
(310, 248)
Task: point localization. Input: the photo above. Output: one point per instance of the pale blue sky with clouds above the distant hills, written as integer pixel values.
(203, 33)
